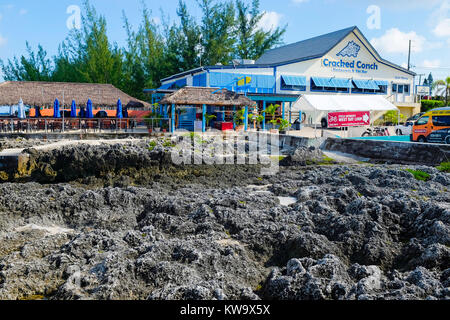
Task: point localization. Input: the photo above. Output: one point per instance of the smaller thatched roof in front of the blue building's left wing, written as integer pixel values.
(201, 96)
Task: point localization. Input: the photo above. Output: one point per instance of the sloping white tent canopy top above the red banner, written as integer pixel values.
(319, 102)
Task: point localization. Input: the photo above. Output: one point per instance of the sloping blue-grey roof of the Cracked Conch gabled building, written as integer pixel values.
(315, 47)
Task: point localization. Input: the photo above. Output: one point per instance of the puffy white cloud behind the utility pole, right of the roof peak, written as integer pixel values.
(396, 41)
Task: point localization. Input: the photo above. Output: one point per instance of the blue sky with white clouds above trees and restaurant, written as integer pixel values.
(388, 24)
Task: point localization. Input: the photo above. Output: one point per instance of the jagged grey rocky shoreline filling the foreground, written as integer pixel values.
(123, 222)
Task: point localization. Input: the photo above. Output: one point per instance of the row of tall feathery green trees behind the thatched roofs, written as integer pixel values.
(226, 30)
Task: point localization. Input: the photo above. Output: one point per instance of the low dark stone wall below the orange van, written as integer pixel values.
(399, 152)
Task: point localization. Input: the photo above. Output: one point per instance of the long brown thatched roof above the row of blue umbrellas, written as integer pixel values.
(36, 93)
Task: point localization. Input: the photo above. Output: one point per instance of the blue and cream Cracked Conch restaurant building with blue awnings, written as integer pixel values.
(342, 62)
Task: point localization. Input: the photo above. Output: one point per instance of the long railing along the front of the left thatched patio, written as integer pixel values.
(60, 125)
